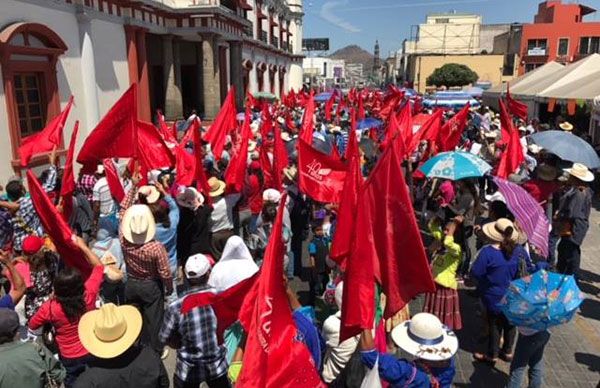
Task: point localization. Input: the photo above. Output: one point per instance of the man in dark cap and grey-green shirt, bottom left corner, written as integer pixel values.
(24, 364)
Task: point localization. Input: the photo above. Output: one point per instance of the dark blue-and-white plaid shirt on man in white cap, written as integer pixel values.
(200, 357)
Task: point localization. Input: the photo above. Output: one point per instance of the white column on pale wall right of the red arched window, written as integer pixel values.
(88, 70)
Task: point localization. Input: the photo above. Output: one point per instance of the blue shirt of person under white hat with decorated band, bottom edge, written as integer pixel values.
(401, 373)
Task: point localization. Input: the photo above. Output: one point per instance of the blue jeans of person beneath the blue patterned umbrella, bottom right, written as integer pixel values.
(529, 352)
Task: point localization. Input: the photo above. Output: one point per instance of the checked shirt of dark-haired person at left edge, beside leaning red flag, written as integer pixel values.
(26, 221)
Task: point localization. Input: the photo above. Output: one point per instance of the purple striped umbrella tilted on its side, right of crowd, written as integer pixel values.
(528, 212)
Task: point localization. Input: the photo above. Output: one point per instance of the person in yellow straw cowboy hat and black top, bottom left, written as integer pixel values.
(111, 335)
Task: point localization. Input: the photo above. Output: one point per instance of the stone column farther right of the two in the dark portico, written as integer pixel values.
(210, 75)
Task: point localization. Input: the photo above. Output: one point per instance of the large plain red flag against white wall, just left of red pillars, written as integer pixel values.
(115, 134)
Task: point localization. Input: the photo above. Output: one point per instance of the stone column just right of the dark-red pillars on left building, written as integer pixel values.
(172, 78)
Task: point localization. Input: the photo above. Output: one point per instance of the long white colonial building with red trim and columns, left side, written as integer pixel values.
(183, 54)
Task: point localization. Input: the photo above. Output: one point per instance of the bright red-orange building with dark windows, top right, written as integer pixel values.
(558, 33)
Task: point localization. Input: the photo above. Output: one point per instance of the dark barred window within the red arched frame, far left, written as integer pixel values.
(30, 102)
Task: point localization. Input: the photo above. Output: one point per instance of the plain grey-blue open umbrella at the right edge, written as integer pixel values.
(568, 147)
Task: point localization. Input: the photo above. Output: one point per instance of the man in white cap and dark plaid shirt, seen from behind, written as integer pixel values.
(200, 358)
